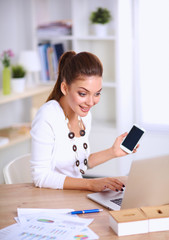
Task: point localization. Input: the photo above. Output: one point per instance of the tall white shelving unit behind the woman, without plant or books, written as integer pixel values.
(113, 115)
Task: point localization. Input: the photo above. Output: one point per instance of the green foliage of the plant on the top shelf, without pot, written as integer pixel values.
(101, 15)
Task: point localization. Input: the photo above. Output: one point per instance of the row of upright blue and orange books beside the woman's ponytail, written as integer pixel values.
(49, 57)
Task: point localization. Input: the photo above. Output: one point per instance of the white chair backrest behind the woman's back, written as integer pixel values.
(18, 170)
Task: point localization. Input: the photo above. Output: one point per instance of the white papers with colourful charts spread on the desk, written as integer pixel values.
(48, 224)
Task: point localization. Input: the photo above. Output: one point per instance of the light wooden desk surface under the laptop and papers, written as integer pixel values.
(15, 196)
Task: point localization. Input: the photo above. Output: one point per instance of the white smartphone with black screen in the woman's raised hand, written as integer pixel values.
(132, 139)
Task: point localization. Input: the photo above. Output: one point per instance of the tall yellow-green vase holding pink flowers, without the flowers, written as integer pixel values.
(6, 80)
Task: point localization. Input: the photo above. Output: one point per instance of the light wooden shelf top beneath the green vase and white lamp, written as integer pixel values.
(38, 89)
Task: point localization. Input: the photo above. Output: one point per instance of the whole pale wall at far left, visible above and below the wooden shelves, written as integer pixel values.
(15, 34)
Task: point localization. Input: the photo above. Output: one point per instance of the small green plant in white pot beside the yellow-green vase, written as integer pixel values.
(18, 78)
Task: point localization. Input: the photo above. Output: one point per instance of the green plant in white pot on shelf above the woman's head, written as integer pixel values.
(100, 18)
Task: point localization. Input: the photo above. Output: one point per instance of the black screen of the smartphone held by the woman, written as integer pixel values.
(132, 138)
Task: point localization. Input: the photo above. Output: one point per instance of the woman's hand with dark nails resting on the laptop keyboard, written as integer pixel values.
(100, 184)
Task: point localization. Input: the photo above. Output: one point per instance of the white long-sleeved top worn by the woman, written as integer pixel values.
(52, 155)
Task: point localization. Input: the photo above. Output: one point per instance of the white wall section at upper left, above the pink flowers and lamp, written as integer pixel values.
(15, 25)
